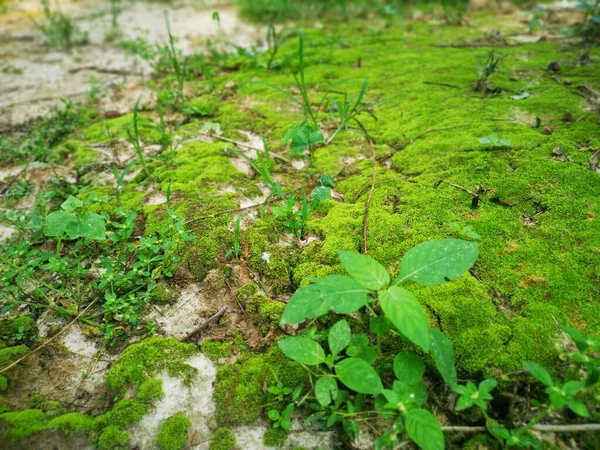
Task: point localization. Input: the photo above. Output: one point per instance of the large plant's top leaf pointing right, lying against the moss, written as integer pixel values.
(435, 262)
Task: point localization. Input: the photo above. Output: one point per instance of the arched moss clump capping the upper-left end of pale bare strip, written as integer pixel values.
(148, 357)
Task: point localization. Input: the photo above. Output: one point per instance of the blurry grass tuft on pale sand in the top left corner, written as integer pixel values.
(58, 29)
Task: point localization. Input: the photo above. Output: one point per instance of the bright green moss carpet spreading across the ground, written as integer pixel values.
(535, 203)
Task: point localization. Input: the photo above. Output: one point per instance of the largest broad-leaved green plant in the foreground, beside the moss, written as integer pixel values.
(348, 367)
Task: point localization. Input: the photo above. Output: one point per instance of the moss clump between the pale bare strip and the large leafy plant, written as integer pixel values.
(240, 385)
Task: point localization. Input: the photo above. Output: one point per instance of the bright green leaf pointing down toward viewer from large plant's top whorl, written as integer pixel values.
(407, 315)
